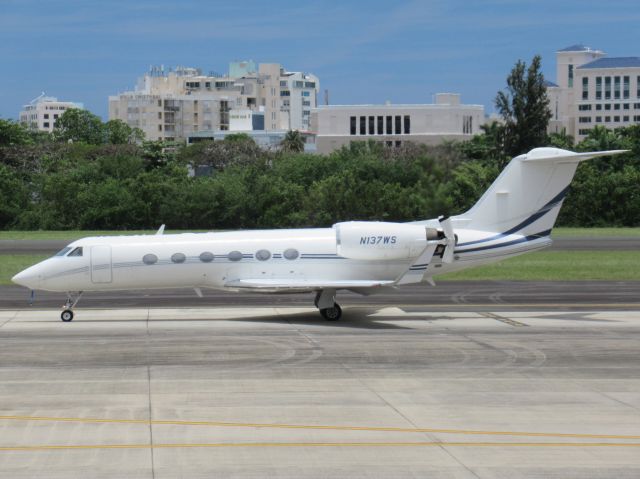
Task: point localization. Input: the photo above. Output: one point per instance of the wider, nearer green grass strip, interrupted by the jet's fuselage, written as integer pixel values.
(539, 266)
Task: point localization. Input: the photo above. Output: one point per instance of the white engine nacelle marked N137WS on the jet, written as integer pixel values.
(375, 240)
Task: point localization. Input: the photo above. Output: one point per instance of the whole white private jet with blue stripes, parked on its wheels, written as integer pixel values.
(514, 216)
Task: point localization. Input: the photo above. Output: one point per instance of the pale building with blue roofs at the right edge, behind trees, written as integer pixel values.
(593, 89)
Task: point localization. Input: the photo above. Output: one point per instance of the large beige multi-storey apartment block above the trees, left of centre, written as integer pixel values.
(177, 104)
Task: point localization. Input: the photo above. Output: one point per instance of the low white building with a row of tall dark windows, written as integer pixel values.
(446, 119)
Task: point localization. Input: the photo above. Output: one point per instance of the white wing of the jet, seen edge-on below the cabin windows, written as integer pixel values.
(303, 284)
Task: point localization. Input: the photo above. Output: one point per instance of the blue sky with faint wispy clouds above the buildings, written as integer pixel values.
(367, 51)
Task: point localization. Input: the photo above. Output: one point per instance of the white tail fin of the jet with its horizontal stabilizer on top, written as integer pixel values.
(527, 196)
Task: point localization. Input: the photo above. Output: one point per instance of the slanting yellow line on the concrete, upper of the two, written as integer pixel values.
(320, 427)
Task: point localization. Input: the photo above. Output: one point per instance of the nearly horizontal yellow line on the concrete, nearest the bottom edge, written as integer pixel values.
(319, 444)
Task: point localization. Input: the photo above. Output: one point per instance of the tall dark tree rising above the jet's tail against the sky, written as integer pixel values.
(524, 108)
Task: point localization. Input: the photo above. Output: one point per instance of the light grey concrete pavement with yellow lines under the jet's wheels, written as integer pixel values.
(395, 390)
